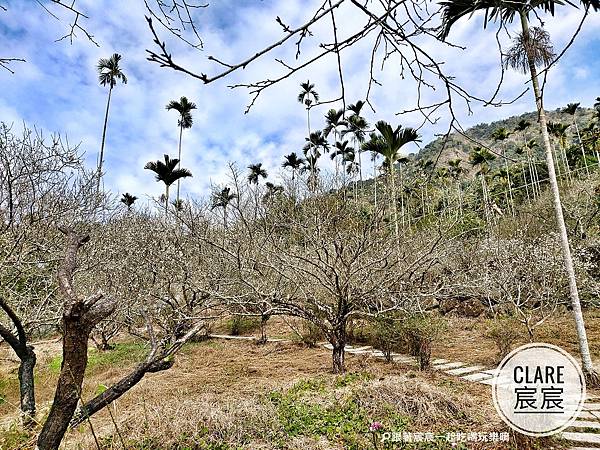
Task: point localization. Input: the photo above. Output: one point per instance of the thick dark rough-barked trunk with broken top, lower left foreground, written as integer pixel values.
(68, 391)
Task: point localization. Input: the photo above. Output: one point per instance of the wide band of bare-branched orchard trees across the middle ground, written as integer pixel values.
(87, 266)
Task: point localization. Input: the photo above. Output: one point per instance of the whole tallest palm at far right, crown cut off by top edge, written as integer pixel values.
(532, 49)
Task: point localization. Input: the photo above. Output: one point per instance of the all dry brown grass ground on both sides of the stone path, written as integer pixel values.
(222, 392)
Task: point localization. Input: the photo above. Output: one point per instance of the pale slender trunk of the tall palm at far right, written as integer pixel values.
(584, 349)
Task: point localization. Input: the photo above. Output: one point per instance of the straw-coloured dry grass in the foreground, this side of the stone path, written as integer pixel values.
(219, 391)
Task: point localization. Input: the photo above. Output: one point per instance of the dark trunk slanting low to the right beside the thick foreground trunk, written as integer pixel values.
(118, 389)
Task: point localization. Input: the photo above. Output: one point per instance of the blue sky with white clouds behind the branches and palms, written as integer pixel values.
(57, 91)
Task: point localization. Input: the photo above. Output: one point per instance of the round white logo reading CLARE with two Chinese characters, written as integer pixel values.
(538, 389)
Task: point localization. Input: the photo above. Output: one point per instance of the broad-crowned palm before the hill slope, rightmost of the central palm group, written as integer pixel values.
(388, 143)
